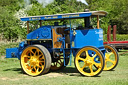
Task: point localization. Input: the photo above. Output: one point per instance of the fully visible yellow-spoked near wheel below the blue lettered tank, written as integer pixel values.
(89, 61)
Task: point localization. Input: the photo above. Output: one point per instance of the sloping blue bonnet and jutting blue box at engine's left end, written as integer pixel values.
(42, 33)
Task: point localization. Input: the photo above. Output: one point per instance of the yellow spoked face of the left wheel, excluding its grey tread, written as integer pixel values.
(33, 61)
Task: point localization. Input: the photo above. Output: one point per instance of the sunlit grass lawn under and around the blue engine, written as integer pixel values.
(11, 74)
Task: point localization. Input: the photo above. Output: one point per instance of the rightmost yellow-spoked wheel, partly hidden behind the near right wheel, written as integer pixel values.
(111, 58)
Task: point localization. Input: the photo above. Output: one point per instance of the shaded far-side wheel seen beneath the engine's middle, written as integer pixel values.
(58, 63)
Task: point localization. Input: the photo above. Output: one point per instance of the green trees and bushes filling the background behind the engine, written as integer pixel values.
(12, 28)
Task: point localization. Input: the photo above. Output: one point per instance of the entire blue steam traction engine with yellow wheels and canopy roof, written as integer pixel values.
(51, 47)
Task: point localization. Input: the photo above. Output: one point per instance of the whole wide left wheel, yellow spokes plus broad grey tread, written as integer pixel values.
(35, 60)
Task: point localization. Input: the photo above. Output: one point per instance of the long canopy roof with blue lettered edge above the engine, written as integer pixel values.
(65, 16)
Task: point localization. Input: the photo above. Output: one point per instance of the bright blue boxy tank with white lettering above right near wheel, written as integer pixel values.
(88, 37)
